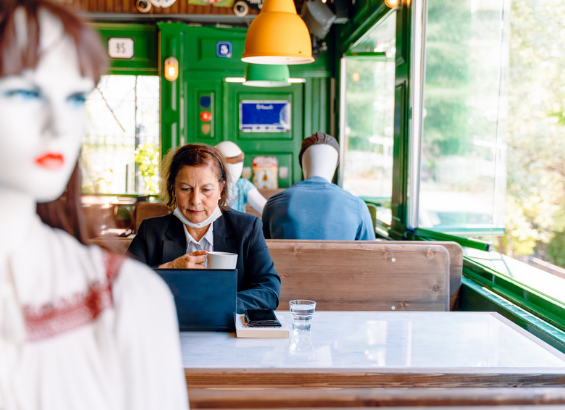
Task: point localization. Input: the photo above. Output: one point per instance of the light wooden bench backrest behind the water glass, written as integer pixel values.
(363, 276)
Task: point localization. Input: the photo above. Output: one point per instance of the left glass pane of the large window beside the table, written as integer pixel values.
(463, 167)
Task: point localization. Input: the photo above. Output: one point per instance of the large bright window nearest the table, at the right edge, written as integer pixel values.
(493, 133)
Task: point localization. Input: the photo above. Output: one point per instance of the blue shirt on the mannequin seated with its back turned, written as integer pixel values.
(316, 209)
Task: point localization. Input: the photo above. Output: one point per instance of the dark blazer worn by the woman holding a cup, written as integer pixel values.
(160, 240)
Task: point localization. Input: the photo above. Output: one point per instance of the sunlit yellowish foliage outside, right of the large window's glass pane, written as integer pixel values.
(536, 143)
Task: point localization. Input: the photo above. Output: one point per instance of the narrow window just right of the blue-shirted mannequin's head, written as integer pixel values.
(366, 168)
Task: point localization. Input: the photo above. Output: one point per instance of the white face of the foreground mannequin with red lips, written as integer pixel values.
(43, 118)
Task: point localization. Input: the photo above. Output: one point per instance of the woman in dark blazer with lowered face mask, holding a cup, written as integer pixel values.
(195, 181)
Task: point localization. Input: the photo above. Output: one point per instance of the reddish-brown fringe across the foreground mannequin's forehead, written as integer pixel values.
(19, 46)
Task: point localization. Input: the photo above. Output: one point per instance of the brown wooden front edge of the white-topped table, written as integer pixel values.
(348, 378)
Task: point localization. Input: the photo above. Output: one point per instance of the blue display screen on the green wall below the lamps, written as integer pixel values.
(264, 116)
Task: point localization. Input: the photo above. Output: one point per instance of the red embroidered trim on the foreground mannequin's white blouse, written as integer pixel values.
(53, 319)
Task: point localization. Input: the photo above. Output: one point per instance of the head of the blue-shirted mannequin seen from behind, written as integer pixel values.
(319, 156)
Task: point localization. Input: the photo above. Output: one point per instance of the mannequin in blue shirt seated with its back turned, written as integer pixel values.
(315, 208)
